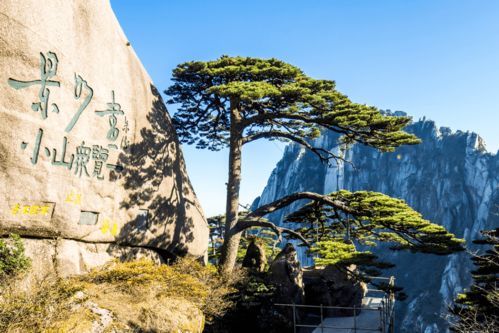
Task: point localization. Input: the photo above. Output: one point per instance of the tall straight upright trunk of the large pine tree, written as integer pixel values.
(232, 238)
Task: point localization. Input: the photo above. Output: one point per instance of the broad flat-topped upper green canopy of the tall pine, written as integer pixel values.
(273, 100)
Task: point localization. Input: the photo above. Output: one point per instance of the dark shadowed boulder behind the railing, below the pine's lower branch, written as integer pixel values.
(331, 286)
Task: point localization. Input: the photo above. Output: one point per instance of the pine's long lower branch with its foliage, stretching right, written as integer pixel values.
(331, 225)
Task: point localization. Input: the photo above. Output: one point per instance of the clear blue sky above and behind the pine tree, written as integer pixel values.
(433, 58)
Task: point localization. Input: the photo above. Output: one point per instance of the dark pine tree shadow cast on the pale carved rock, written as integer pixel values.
(155, 179)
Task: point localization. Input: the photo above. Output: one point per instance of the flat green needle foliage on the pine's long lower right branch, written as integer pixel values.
(370, 218)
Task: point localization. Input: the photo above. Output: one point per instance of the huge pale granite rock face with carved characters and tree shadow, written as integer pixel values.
(88, 154)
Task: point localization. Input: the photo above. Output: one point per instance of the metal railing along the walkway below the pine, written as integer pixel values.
(386, 311)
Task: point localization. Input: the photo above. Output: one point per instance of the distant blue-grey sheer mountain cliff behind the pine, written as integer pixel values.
(449, 178)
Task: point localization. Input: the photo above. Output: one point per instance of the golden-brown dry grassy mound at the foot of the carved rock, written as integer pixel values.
(140, 295)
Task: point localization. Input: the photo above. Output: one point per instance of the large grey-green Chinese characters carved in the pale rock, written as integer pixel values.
(88, 159)
